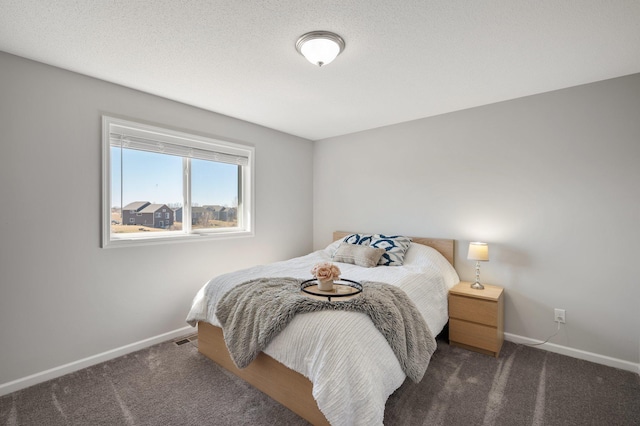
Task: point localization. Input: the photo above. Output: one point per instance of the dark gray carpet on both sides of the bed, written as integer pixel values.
(171, 384)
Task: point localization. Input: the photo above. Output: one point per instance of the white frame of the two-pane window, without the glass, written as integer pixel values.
(189, 141)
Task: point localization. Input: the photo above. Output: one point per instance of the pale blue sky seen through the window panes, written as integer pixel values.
(157, 178)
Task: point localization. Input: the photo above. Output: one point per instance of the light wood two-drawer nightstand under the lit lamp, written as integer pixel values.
(476, 318)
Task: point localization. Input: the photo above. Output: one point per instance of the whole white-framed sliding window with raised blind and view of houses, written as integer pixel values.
(203, 185)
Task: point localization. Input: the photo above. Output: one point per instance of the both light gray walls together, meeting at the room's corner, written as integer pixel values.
(550, 181)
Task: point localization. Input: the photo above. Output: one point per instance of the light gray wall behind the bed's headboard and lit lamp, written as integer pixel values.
(551, 182)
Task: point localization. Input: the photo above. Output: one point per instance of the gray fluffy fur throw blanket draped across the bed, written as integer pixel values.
(254, 312)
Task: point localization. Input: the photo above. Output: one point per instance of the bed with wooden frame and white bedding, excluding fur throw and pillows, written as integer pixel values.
(305, 367)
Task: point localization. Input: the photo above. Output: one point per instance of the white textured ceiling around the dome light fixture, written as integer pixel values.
(404, 59)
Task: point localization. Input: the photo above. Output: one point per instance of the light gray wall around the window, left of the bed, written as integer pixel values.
(62, 297)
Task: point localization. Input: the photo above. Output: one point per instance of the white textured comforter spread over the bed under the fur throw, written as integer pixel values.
(351, 366)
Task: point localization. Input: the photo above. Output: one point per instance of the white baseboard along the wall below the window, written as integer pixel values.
(34, 379)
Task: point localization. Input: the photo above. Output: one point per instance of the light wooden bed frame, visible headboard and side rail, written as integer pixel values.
(286, 386)
